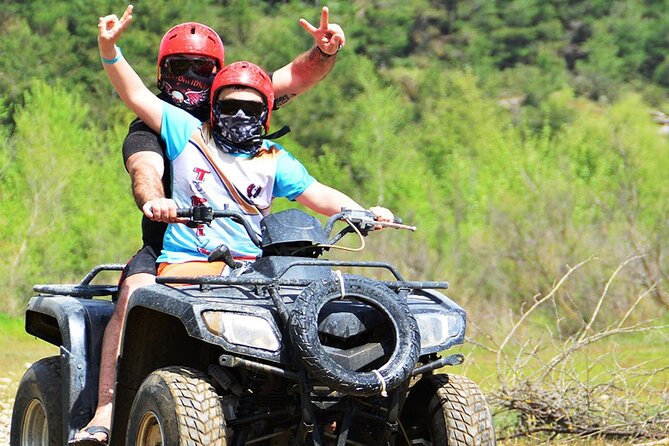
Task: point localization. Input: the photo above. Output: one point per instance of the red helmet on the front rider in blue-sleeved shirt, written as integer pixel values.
(244, 74)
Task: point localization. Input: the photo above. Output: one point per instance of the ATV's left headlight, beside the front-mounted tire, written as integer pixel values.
(242, 329)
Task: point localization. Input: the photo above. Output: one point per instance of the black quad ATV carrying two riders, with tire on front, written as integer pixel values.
(284, 350)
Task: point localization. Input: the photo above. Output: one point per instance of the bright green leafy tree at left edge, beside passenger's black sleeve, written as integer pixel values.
(64, 197)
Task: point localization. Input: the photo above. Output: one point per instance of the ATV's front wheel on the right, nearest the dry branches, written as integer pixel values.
(447, 410)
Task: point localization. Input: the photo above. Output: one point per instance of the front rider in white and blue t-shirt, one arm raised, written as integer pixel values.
(227, 161)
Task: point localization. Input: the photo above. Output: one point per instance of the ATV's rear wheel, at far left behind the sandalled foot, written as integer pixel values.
(37, 414)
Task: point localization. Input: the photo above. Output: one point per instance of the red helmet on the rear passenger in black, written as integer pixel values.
(191, 38)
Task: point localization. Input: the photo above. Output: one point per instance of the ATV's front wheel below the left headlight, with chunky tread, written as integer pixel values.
(176, 406)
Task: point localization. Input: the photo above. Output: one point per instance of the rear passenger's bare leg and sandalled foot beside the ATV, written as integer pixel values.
(111, 345)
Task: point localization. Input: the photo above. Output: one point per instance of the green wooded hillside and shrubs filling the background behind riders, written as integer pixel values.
(515, 133)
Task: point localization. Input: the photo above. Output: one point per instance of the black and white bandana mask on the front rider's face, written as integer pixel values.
(238, 133)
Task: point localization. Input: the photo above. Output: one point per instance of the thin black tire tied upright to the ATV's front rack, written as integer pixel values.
(304, 335)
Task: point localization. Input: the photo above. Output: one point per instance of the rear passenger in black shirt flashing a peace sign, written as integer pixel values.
(189, 56)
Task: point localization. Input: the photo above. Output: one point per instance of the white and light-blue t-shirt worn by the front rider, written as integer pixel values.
(203, 173)
